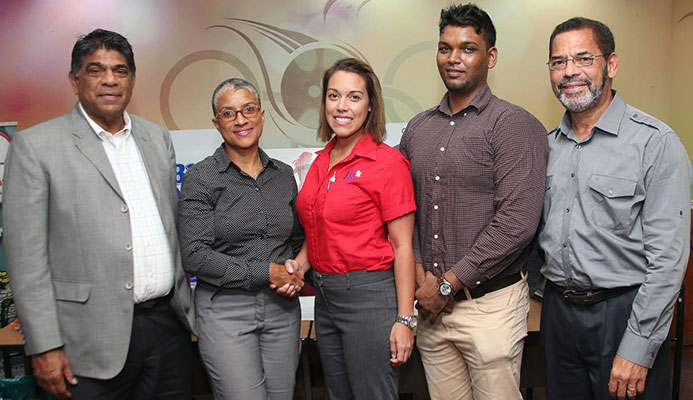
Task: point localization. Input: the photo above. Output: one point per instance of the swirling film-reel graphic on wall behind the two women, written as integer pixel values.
(291, 97)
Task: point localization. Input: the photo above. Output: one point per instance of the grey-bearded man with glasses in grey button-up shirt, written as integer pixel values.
(616, 227)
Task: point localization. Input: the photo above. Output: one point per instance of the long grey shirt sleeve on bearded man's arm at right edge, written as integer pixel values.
(666, 216)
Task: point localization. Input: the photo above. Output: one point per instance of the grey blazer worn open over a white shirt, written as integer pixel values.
(65, 236)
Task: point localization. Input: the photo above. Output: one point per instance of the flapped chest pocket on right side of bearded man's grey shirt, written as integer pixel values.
(614, 198)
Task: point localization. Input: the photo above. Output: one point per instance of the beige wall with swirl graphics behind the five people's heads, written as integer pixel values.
(184, 48)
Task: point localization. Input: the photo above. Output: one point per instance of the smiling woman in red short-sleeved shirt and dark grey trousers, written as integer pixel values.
(357, 209)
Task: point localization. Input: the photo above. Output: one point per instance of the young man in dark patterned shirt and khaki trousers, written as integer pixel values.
(478, 165)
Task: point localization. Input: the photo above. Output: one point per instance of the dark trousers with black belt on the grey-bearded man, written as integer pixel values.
(580, 342)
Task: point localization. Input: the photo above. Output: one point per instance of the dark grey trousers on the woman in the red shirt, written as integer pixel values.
(354, 314)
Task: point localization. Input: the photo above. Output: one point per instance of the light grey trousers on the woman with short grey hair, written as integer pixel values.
(249, 342)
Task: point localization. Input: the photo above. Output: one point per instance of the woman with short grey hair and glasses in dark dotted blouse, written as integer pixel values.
(237, 225)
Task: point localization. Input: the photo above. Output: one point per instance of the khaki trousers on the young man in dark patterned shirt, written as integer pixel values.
(475, 352)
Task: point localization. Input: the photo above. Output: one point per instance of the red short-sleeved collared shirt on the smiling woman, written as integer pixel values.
(344, 210)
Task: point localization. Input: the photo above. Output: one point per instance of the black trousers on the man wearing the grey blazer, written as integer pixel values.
(158, 364)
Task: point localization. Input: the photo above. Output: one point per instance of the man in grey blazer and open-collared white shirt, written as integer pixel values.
(91, 244)
